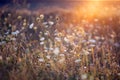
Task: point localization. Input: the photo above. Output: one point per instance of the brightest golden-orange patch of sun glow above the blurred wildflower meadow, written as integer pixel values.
(92, 8)
